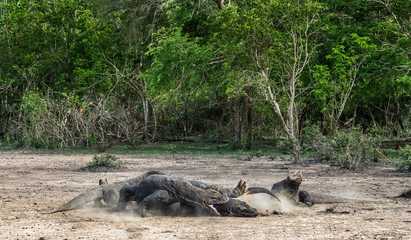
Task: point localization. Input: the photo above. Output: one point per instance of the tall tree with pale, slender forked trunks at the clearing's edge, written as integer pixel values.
(277, 41)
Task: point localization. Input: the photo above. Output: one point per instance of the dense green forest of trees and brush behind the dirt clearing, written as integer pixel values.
(315, 73)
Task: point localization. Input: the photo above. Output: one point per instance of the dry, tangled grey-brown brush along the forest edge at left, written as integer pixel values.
(49, 121)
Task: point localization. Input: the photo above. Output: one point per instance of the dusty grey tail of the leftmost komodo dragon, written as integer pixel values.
(79, 201)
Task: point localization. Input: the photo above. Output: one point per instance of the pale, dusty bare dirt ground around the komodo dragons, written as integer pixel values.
(33, 183)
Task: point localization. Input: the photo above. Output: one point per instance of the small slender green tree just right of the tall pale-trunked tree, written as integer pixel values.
(334, 85)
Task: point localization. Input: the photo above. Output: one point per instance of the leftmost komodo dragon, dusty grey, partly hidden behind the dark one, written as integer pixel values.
(109, 193)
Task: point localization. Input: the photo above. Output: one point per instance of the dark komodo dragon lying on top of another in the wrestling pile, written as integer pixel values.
(163, 190)
